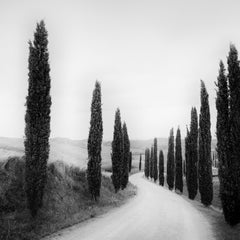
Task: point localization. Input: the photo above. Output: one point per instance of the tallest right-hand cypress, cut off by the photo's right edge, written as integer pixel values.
(232, 215)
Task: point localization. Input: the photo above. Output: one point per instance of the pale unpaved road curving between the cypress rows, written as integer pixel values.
(155, 213)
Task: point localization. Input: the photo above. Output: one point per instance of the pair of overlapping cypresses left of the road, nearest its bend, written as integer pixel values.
(121, 156)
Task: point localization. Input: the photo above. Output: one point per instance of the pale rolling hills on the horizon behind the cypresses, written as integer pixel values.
(74, 152)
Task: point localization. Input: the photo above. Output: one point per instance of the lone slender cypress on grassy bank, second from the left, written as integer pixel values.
(95, 144)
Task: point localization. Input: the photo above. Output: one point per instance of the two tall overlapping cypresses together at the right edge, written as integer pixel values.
(228, 136)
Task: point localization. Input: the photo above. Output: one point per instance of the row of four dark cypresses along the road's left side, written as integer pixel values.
(37, 130)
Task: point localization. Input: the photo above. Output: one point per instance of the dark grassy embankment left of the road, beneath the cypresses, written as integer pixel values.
(66, 200)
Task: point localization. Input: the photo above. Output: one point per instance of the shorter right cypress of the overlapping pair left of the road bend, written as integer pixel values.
(126, 156)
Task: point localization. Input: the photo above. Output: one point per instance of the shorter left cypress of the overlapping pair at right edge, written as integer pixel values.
(225, 171)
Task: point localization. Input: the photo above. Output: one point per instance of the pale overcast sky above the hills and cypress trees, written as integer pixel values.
(149, 56)
